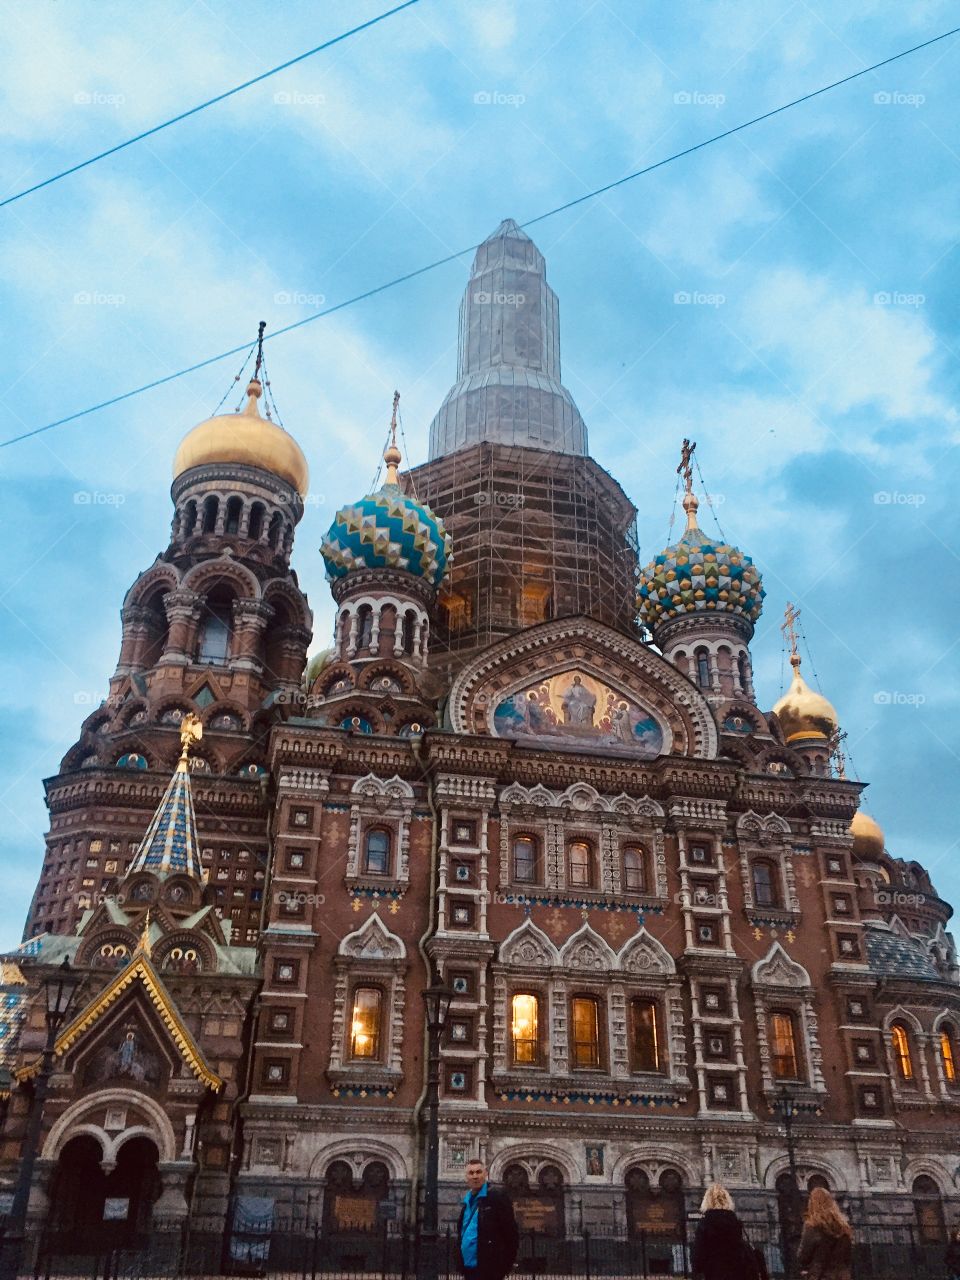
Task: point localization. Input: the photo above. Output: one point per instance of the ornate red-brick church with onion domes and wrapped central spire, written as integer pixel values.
(529, 762)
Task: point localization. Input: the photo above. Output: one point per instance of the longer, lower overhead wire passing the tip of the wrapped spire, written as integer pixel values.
(470, 249)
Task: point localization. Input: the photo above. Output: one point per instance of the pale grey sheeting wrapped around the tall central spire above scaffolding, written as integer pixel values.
(509, 387)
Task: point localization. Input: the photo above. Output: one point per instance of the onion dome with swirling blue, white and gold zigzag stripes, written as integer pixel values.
(388, 529)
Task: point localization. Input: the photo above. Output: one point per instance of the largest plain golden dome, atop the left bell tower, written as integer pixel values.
(245, 438)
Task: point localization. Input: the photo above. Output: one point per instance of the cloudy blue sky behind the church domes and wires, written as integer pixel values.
(816, 364)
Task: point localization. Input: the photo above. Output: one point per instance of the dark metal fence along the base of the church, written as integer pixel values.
(394, 1251)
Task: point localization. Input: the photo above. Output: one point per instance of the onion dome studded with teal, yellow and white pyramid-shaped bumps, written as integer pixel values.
(698, 575)
